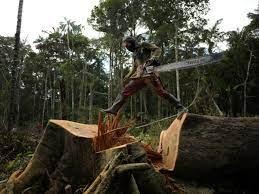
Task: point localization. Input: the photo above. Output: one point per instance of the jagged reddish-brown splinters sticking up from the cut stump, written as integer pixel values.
(110, 133)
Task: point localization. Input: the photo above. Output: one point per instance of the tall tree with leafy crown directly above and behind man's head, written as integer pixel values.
(115, 18)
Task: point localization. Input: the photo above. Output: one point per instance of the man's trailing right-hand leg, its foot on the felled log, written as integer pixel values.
(160, 90)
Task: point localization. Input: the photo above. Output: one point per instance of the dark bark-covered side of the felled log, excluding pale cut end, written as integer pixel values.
(212, 148)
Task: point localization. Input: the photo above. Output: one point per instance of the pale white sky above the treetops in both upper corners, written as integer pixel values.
(42, 15)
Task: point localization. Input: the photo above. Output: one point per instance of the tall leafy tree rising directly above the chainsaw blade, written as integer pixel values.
(170, 22)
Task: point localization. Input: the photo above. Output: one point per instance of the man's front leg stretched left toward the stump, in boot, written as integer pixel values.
(131, 88)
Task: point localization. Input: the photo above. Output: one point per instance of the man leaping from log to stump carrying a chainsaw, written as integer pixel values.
(145, 58)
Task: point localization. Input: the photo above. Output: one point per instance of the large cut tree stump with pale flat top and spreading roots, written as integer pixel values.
(66, 161)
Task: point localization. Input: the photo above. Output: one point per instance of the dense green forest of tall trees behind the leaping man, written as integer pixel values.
(67, 75)
